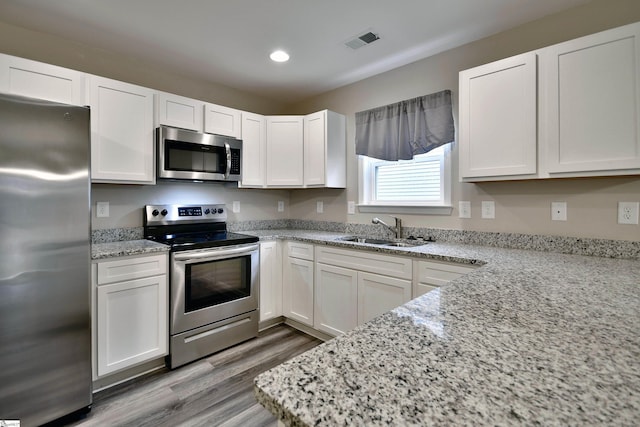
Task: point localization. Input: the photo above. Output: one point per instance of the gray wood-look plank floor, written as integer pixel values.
(214, 391)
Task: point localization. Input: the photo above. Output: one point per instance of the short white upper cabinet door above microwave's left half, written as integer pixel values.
(178, 111)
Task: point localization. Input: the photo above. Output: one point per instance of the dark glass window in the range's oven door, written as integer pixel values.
(216, 282)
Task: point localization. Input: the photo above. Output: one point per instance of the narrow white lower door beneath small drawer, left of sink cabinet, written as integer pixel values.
(298, 290)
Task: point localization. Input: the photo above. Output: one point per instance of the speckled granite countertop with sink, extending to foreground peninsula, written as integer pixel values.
(528, 338)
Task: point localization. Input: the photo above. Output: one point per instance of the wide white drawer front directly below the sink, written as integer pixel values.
(388, 265)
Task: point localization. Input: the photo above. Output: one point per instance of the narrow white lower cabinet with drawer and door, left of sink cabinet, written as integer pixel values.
(297, 286)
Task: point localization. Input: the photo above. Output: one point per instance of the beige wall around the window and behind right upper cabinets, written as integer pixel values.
(522, 207)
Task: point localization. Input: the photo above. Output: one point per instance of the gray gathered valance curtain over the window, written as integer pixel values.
(402, 130)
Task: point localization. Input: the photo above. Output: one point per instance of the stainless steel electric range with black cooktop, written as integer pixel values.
(214, 279)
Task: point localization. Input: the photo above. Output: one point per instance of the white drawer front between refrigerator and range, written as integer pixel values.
(131, 268)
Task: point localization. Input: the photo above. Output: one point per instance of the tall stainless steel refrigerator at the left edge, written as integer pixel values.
(45, 335)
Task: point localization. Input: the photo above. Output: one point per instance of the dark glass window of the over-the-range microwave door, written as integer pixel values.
(183, 156)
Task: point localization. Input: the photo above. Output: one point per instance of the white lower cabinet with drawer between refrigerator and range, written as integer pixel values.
(130, 312)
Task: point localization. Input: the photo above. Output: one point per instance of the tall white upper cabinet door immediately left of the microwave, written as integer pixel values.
(122, 145)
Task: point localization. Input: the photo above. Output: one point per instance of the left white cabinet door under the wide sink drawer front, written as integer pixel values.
(336, 299)
